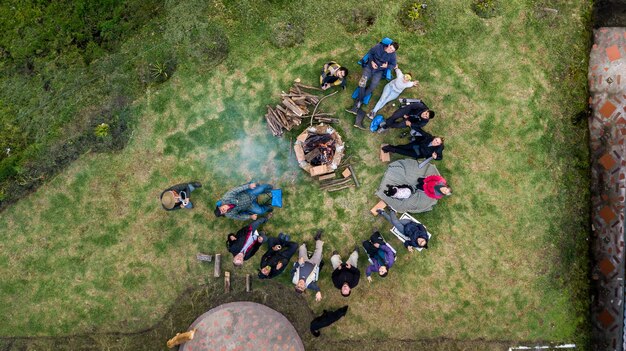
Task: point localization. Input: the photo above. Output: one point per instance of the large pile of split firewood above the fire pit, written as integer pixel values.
(293, 108)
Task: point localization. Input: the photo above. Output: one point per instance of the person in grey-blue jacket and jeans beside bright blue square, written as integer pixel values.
(240, 203)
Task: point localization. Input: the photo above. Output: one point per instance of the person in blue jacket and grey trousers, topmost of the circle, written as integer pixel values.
(380, 57)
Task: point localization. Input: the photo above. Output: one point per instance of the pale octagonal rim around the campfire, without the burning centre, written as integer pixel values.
(298, 148)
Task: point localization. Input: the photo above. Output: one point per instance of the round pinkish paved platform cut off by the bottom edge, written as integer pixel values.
(243, 326)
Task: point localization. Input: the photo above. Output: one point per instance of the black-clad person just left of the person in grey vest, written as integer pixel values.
(275, 260)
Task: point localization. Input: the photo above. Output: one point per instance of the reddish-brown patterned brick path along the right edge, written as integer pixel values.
(607, 85)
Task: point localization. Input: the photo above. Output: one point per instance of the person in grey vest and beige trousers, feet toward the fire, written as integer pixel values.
(306, 271)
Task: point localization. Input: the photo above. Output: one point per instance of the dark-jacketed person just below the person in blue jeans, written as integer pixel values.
(246, 242)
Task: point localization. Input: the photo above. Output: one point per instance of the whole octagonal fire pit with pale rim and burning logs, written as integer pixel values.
(319, 149)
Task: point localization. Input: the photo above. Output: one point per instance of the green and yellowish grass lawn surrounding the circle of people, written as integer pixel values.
(92, 250)
